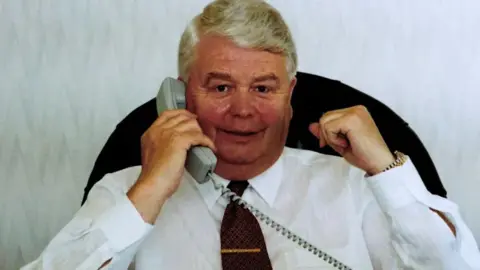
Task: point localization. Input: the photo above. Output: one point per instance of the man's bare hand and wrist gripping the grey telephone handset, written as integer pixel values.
(164, 151)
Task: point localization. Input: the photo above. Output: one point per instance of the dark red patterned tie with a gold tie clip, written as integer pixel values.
(242, 242)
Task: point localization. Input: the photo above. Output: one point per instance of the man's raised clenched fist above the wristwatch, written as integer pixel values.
(353, 134)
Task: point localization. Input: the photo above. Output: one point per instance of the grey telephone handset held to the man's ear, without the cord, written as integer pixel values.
(200, 159)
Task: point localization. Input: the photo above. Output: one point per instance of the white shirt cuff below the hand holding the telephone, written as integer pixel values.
(122, 225)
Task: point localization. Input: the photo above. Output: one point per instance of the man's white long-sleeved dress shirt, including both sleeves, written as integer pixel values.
(379, 222)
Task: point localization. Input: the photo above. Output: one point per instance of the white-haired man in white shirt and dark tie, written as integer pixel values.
(368, 209)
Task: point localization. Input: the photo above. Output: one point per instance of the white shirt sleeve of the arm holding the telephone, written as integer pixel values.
(108, 226)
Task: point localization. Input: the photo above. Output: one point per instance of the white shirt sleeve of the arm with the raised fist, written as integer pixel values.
(402, 232)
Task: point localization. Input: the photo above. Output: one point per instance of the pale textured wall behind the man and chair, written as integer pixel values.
(70, 70)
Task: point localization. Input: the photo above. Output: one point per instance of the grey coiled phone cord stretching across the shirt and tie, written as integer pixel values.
(275, 225)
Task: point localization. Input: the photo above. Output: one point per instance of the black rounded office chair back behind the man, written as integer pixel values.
(313, 95)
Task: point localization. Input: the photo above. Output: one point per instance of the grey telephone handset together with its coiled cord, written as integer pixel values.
(201, 163)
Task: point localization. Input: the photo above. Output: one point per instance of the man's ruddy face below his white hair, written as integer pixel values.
(242, 100)
